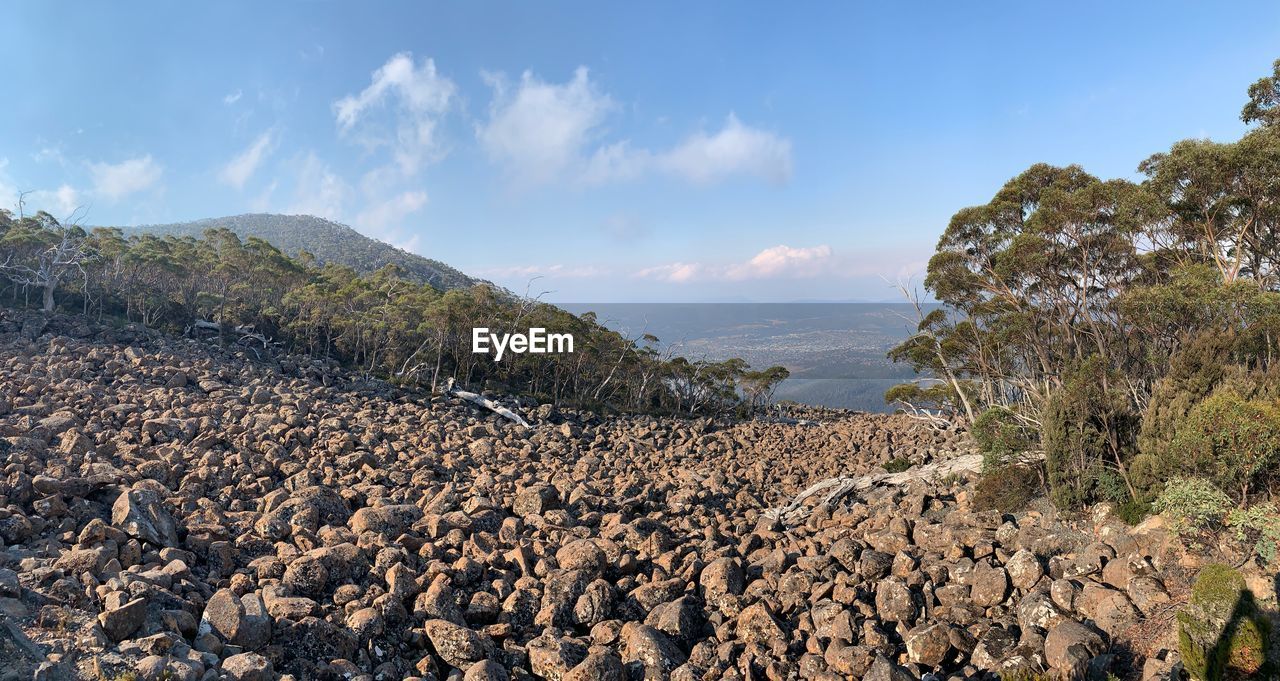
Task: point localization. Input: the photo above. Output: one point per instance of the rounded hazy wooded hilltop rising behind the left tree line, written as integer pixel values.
(328, 241)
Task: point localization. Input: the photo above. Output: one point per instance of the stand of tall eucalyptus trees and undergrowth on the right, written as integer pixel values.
(1124, 332)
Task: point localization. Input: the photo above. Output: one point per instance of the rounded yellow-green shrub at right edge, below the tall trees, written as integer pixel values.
(1231, 441)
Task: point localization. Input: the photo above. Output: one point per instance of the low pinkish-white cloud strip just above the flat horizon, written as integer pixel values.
(776, 263)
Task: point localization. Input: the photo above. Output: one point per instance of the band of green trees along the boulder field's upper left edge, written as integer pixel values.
(385, 324)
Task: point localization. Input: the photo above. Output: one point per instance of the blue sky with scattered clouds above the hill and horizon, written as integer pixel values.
(643, 152)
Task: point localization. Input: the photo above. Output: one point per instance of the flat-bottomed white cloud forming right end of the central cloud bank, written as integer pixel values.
(737, 149)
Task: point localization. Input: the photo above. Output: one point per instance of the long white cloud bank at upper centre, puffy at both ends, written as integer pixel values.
(545, 132)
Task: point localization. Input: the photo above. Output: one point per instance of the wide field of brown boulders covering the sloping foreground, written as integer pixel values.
(173, 510)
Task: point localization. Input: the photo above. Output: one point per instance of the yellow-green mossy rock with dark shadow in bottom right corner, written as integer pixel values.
(1222, 634)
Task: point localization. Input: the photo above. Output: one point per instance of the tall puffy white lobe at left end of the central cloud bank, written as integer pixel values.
(540, 131)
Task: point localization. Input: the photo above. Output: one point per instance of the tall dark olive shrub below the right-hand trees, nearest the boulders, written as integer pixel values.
(1089, 427)
